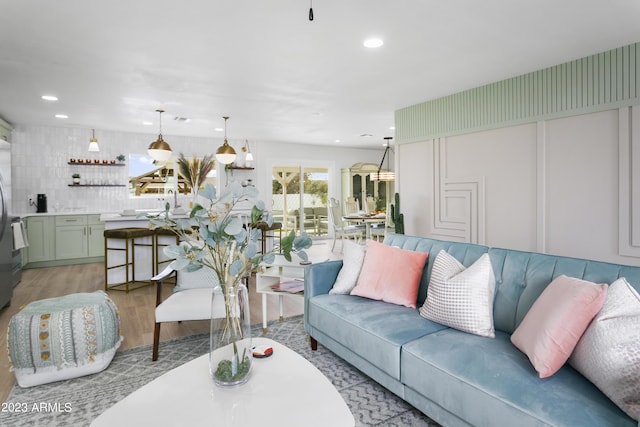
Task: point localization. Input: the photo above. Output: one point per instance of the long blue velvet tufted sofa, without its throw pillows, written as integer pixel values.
(456, 378)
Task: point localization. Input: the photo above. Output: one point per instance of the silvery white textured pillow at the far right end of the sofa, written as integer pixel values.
(608, 354)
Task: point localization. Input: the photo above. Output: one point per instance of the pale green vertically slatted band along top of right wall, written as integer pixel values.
(598, 82)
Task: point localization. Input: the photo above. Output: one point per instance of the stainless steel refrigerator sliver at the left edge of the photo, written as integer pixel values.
(6, 233)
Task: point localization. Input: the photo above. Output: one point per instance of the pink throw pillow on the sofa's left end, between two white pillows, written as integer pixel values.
(390, 274)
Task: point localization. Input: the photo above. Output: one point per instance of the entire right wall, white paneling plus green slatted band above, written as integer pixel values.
(555, 154)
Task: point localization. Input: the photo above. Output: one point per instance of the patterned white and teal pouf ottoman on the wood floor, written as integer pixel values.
(61, 338)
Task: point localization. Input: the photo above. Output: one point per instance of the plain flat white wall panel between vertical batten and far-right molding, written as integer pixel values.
(581, 192)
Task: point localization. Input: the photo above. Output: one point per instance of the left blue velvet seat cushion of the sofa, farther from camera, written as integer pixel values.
(375, 330)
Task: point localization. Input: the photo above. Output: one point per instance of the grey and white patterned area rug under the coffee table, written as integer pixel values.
(78, 401)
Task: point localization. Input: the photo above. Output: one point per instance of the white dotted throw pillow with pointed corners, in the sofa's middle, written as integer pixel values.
(461, 298)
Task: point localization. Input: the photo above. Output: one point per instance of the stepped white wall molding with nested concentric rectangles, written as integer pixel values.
(459, 209)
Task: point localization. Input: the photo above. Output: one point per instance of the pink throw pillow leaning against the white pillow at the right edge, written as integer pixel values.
(556, 321)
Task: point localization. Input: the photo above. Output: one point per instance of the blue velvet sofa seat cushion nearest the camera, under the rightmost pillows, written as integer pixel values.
(483, 380)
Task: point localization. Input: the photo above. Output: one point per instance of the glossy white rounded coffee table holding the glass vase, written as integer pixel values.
(284, 390)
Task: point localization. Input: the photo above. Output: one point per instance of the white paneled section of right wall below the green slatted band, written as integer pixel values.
(563, 186)
